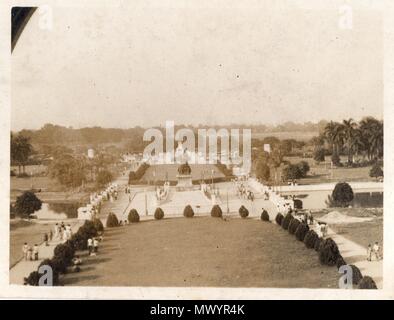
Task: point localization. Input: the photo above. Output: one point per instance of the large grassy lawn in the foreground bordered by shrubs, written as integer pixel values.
(203, 252)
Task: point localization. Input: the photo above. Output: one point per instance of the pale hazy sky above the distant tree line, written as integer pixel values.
(142, 64)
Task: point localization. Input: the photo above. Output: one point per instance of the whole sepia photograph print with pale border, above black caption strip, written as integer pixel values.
(197, 144)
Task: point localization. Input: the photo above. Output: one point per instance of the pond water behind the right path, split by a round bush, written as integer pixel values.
(318, 199)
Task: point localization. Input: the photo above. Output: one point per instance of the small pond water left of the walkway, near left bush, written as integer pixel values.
(58, 211)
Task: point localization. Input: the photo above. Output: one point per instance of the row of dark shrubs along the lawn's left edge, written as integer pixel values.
(64, 252)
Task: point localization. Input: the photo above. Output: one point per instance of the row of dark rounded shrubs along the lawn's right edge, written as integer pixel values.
(327, 249)
